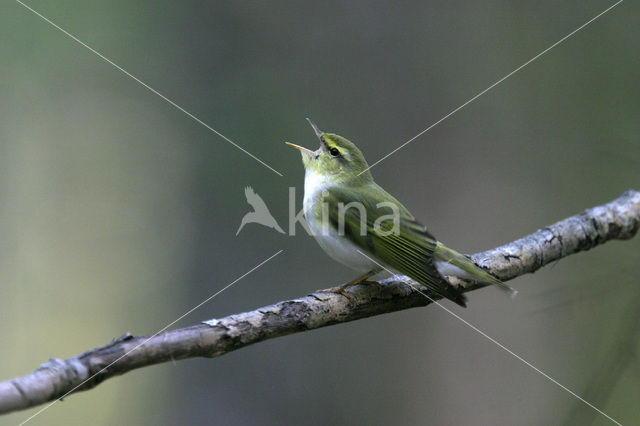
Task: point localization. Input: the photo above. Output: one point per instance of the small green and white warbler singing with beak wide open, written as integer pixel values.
(361, 225)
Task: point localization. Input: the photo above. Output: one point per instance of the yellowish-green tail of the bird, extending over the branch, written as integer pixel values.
(461, 266)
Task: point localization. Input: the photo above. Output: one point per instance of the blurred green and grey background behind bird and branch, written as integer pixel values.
(118, 212)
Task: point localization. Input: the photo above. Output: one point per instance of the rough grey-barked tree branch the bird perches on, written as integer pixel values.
(619, 219)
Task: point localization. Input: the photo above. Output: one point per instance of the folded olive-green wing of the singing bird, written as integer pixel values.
(409, 250)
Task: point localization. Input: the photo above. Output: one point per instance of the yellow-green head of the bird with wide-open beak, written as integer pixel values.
(337, 159)
